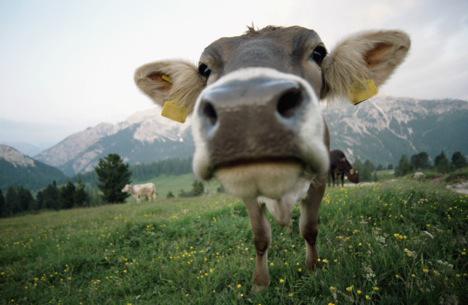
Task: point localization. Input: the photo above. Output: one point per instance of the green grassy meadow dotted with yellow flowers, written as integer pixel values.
(401, 242)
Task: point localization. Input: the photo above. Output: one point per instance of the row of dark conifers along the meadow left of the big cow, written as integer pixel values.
(105, 185)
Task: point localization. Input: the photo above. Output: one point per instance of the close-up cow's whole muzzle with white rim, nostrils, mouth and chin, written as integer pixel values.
(259, 128)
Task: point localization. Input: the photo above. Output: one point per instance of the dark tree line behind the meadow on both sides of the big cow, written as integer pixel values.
(112, 174)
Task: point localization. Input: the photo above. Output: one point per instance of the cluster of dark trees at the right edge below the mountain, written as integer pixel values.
(421, 161)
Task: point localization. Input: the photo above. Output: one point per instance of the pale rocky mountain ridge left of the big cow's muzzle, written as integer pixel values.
(144, 137)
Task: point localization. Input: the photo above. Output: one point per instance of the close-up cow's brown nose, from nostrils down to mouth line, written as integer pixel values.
(254, 119)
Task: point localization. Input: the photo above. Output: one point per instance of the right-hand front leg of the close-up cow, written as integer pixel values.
(309, 222)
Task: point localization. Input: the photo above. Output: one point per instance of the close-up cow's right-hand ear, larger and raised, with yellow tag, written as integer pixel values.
(362, 62)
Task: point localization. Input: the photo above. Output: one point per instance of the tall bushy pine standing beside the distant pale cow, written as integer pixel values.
(113, 174)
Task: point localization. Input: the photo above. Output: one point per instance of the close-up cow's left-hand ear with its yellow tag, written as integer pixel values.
(173, 82)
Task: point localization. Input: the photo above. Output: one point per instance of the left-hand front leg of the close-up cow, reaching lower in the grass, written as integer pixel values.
(262, 238)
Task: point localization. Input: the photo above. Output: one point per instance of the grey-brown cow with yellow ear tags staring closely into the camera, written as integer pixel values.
(256, 117)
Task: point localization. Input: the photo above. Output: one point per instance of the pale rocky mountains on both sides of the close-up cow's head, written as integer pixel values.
(381, 130)
